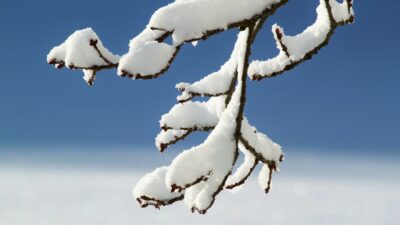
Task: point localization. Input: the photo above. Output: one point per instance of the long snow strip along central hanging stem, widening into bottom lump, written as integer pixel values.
(211, 161)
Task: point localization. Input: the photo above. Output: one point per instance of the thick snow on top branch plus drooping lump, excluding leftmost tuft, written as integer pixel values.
(185, 20)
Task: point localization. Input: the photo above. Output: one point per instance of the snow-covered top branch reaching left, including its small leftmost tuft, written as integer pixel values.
(148, 57)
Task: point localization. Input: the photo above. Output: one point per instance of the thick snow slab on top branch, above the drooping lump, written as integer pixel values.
(191, 19)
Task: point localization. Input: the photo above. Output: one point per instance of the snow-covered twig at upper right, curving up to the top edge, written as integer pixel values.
(299, 46)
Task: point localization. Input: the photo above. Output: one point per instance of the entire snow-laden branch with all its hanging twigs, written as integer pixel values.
(199, 174)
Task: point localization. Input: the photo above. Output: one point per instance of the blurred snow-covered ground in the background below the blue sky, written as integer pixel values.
(94, 187)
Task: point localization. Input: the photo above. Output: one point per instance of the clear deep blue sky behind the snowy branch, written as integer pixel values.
(347, 97)
